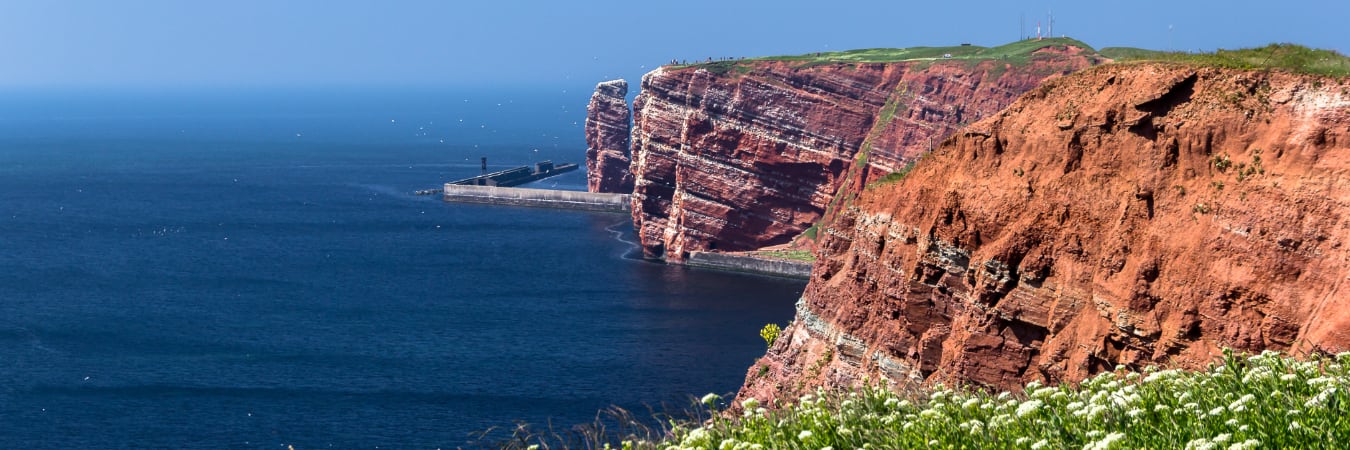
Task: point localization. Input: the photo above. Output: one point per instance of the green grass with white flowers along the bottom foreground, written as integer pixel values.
(1262, 402)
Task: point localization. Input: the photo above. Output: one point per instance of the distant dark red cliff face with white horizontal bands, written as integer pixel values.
(753, 156)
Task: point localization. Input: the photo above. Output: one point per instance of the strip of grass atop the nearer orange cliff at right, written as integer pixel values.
(1276, 56)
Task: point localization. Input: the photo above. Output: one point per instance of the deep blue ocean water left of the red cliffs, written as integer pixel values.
(249, 270)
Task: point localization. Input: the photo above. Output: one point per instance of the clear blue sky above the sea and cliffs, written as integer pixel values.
(570, 44)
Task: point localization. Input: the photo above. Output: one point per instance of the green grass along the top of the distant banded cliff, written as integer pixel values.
(1017, 52)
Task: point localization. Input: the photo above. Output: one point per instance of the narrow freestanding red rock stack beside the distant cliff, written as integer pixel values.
(608, 140)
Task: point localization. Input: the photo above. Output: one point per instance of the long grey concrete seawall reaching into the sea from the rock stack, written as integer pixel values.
(539, 198)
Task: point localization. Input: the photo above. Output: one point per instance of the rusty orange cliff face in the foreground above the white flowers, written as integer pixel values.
(1127, 216)
